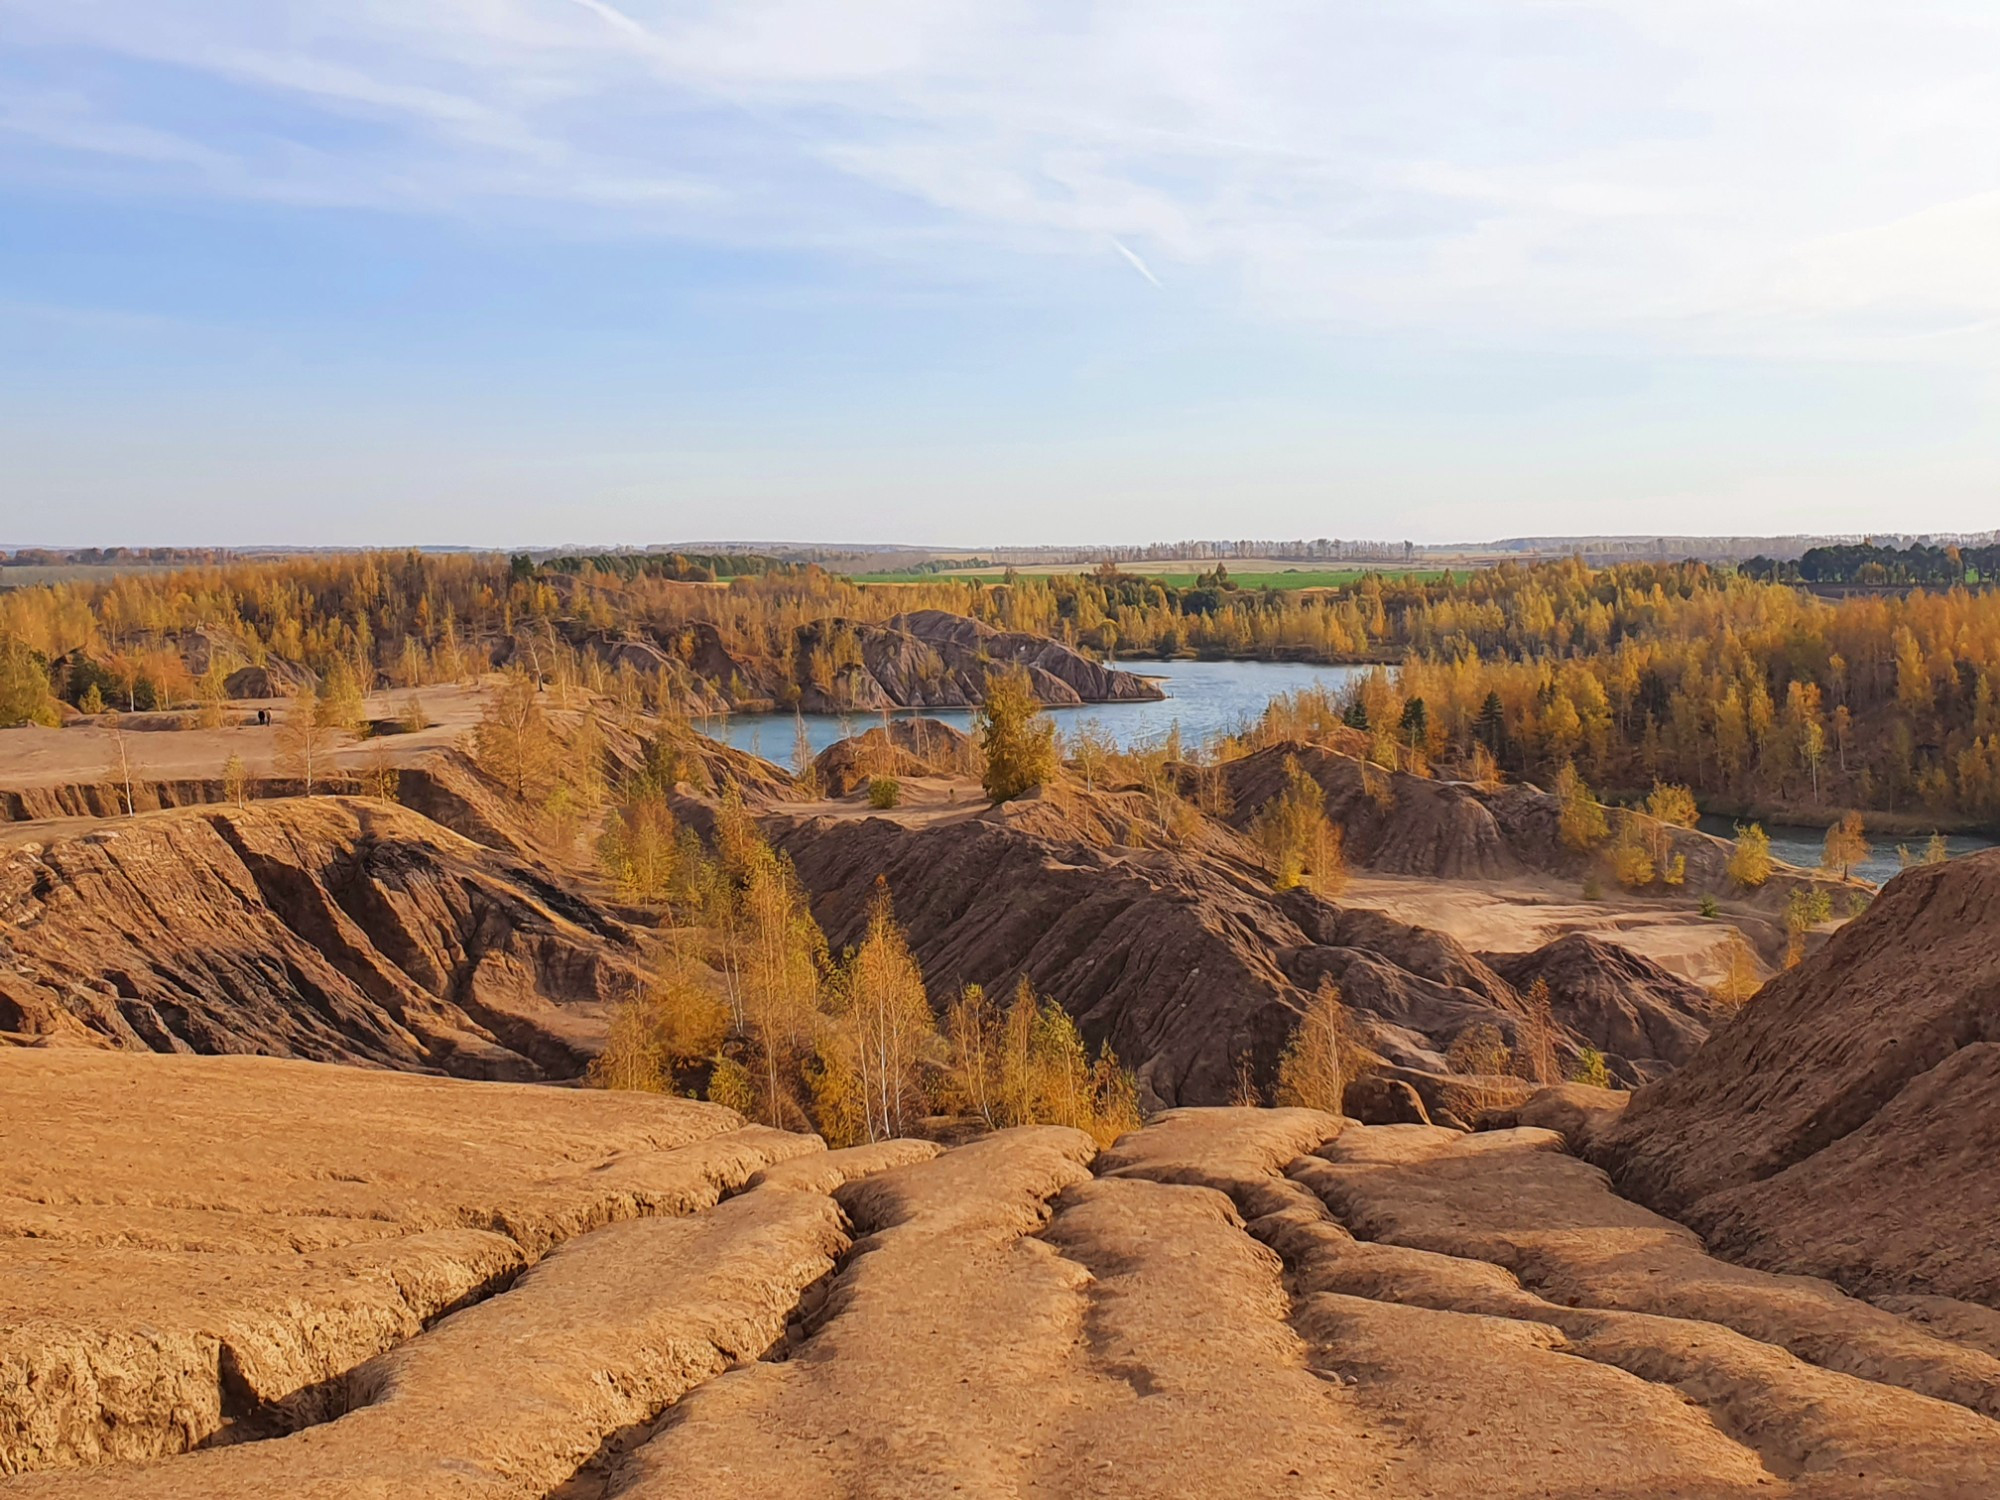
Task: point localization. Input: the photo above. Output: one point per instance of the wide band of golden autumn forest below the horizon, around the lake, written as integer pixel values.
(1747, 691)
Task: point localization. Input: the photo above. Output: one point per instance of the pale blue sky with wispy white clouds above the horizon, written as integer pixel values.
(969, 273)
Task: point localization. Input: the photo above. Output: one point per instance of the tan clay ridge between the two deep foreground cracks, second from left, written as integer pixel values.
(521, 1395)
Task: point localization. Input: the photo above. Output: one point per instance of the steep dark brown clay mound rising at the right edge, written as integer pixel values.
(1845, 1123)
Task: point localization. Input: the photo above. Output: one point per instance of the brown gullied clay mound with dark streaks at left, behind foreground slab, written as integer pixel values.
(323, 929)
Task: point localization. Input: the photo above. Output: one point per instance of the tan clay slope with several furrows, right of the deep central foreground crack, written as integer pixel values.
(1267, 1303)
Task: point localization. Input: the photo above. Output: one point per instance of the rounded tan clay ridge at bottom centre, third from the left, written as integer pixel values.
(945, 1343)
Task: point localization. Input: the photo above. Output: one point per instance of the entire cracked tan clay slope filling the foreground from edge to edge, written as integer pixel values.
(1227, 1303)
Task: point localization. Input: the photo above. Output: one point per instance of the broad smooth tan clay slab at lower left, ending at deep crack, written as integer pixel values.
(199, 1249)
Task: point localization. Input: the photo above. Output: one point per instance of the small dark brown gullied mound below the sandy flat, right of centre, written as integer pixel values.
(1623, 1005)
